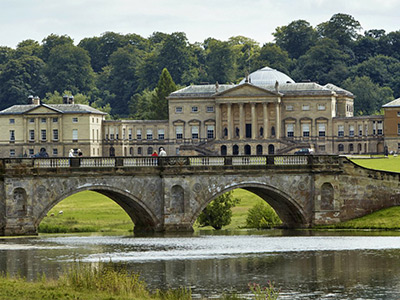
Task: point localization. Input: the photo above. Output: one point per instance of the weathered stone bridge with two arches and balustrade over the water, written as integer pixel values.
(169, 193)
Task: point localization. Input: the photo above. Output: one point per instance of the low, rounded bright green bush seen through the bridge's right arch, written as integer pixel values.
(262, 216)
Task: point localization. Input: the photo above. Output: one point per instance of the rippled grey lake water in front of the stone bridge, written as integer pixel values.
(311, 267)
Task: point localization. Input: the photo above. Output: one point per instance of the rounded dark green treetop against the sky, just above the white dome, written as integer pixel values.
(296, 38)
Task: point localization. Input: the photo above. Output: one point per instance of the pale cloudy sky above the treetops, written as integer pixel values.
(199, 19)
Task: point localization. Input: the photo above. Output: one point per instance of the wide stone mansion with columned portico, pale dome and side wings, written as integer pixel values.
(266, 113)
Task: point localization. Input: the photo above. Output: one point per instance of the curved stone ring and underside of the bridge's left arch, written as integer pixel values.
(143, 218)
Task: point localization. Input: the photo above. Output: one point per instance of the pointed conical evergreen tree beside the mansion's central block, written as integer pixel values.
(159, 103)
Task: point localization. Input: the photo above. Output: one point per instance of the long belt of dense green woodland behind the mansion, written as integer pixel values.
(129, 75)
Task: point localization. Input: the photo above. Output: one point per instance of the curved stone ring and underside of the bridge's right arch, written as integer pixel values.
(288, 210)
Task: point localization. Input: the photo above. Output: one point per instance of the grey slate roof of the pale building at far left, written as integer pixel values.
(61, 108)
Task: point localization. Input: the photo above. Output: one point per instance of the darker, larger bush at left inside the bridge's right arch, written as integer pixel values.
(218, 213)
